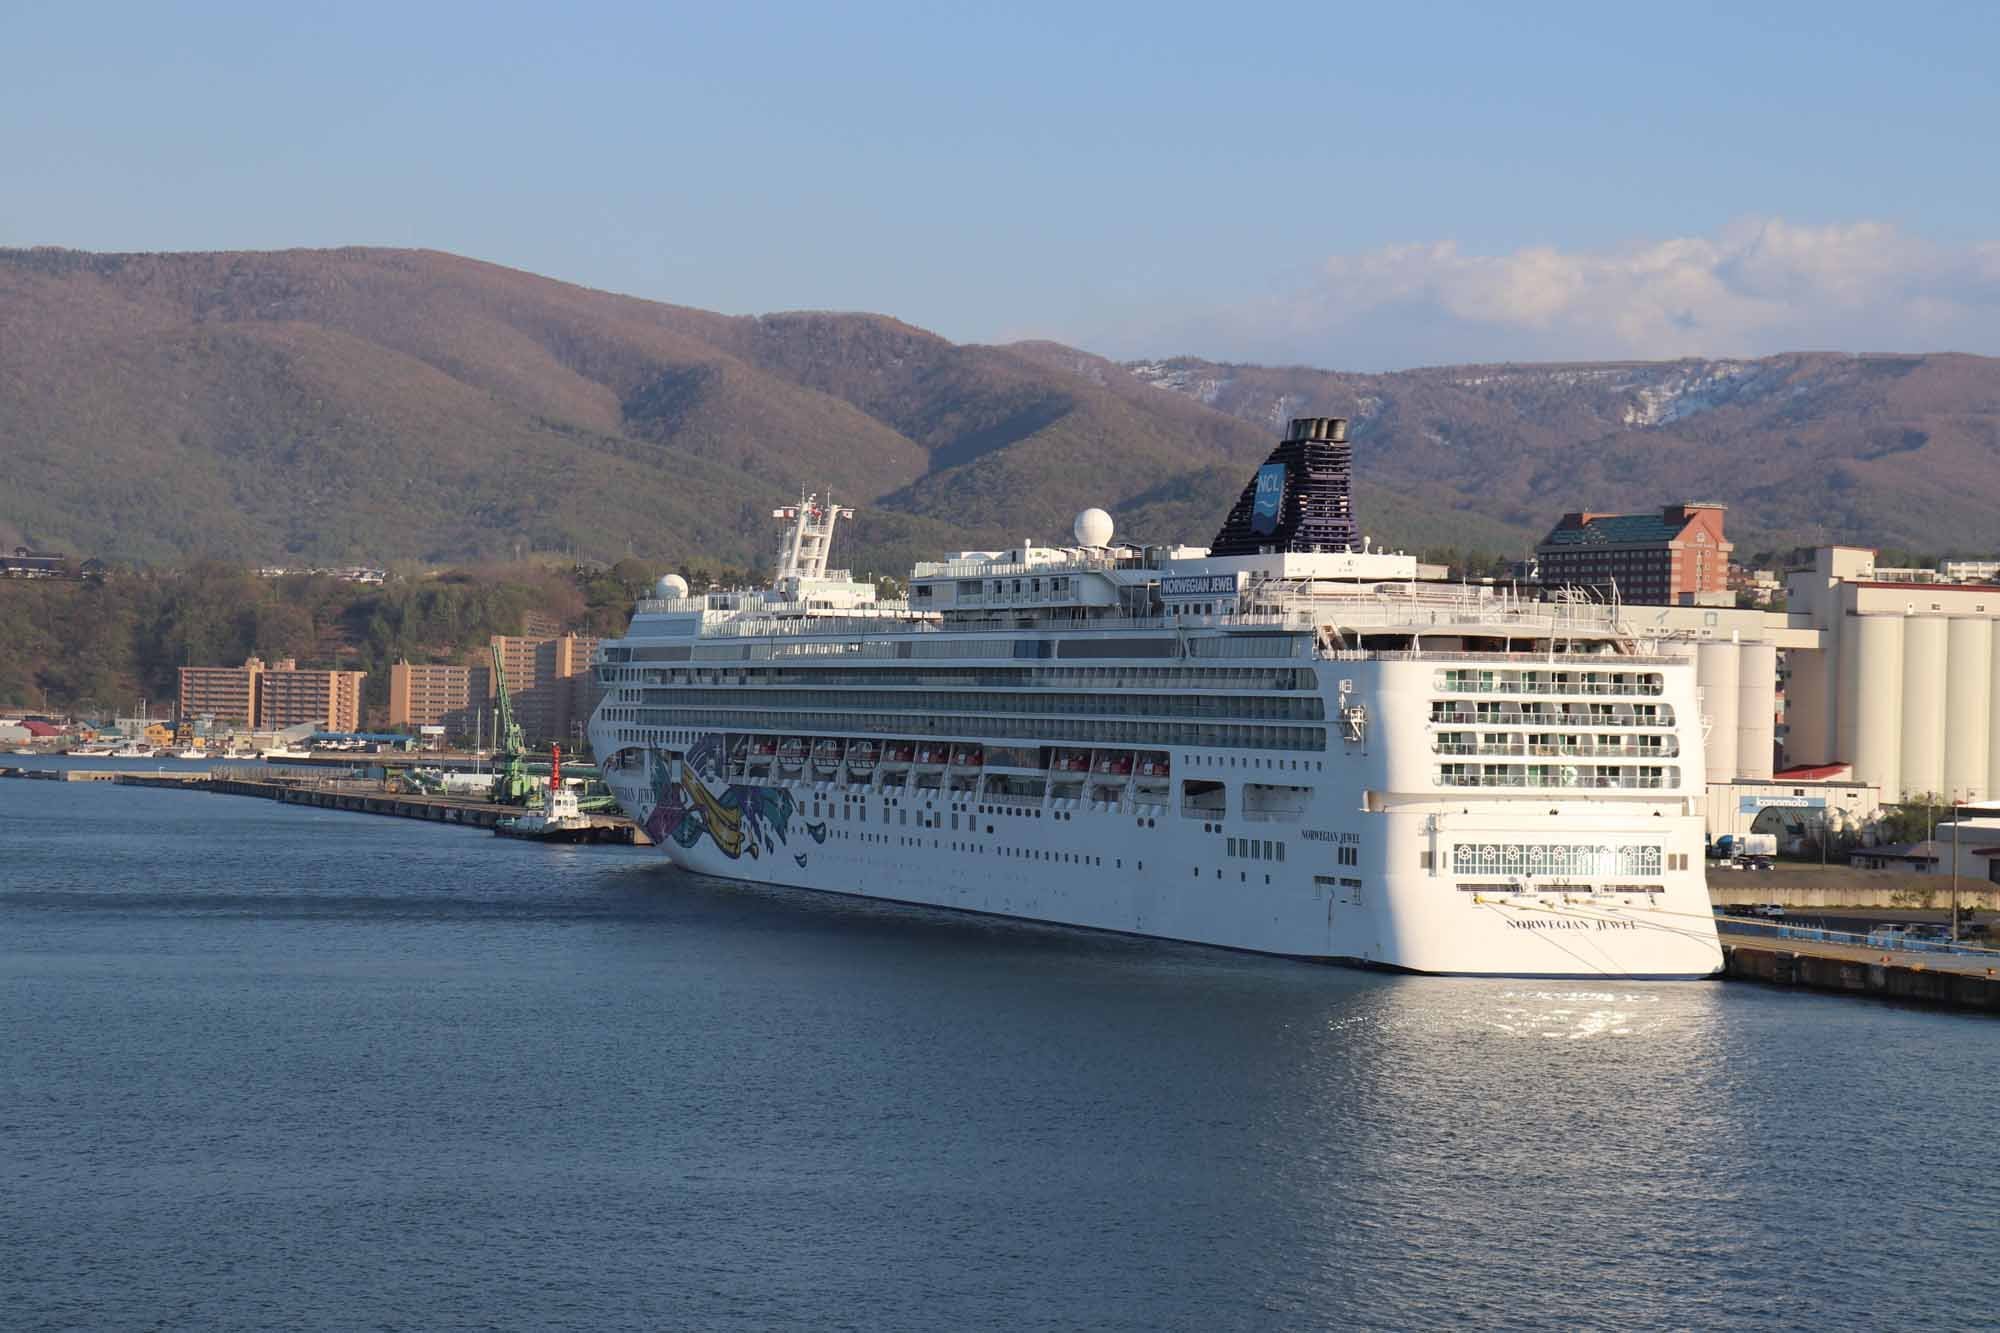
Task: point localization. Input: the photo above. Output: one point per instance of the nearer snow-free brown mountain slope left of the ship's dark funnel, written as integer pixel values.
(389, 403)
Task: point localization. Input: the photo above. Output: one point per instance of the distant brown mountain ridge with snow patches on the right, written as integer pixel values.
(1899, 451)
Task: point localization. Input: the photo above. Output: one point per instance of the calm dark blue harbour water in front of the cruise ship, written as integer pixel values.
(279, 1068)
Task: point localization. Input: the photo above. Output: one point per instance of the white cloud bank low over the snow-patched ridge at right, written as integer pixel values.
(1757, 287)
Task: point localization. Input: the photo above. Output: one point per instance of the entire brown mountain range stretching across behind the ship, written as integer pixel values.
(377, 405)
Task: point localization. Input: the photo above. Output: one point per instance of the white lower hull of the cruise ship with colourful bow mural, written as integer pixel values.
(1161, 876)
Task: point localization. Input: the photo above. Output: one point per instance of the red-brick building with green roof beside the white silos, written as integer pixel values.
(1661, 559)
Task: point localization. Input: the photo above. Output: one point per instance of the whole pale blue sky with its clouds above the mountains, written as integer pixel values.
(1353, 187)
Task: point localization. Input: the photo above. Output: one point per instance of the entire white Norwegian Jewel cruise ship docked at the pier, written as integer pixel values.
(1281, 744)
